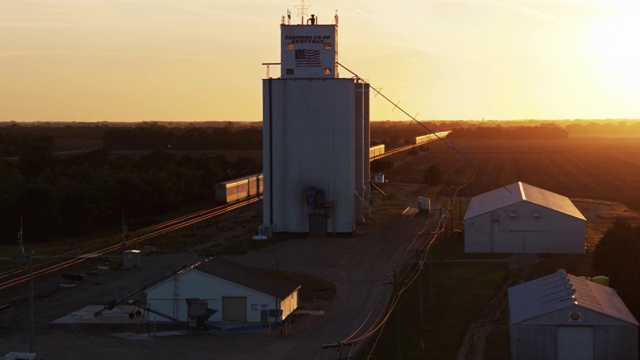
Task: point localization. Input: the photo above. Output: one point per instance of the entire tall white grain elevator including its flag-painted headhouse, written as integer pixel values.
(315, 137)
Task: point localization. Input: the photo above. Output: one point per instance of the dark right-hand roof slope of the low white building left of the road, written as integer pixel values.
(251, 278)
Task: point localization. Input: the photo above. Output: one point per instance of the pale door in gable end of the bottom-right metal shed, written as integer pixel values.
(575, 342)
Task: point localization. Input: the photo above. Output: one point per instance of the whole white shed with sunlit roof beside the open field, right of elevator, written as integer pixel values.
(520, 218)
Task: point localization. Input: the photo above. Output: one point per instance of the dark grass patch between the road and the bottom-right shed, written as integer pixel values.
(460, 291)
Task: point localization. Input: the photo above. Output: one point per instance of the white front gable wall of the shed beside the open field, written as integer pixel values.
(524, 228)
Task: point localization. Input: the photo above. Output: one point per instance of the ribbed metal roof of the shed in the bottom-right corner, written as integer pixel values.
(561, 290)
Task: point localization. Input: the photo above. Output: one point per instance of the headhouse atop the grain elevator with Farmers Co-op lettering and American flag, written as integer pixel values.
(309, 51)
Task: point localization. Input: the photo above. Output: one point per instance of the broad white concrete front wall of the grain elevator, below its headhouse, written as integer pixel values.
(309, 141)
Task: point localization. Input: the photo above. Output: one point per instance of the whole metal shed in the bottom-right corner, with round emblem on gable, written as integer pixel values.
(561, 316)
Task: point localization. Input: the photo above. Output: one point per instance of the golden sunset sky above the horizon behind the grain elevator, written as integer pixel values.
(192, 60)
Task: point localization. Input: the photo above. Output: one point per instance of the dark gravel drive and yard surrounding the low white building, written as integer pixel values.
(357, 264)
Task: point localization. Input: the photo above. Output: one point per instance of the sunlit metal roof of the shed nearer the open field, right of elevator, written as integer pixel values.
(516, 192)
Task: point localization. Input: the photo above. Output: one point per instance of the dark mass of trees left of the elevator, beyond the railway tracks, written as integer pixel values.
(72, 194)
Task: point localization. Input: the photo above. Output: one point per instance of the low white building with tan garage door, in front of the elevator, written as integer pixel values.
(237, 293)
